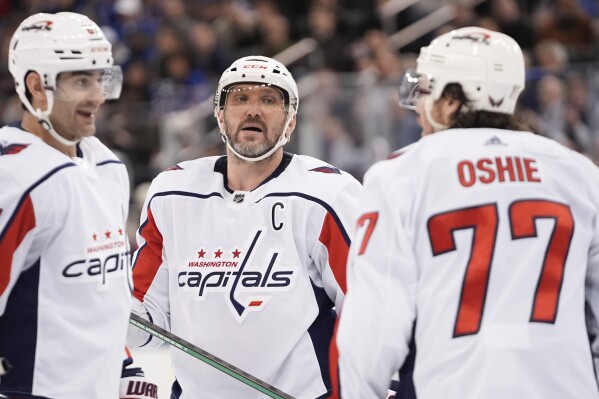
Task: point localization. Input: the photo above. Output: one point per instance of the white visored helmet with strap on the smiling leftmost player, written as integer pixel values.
(50, 44)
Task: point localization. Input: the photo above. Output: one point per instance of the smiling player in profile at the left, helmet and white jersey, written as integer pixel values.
(65, 283)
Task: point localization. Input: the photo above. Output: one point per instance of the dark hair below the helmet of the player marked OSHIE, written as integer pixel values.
(473, 119)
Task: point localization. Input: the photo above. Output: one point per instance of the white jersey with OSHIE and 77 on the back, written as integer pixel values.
(485, 240)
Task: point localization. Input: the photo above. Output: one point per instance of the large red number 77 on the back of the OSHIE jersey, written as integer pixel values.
(484, 220)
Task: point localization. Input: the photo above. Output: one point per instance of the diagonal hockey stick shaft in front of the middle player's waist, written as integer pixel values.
(208, 358)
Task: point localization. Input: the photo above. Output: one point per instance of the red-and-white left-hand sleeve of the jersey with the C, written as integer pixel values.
(150, 276)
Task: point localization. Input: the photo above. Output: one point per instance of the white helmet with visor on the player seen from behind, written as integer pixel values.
(488, 65)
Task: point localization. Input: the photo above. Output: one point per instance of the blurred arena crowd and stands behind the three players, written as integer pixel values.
(347, 57)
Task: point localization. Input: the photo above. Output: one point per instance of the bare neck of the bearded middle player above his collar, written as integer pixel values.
(246, 176)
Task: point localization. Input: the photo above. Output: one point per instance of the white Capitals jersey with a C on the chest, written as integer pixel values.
(251, 277)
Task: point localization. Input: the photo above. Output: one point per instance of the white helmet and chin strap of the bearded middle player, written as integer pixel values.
(259, 70)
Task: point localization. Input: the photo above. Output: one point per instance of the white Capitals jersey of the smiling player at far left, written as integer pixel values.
(65, 284)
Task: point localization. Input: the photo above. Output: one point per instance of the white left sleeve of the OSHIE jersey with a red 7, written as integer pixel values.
(375, 326)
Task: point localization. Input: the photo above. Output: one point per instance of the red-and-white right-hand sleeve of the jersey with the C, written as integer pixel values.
(336, 225)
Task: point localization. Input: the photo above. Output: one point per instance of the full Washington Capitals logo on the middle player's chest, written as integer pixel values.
(248, 283)
